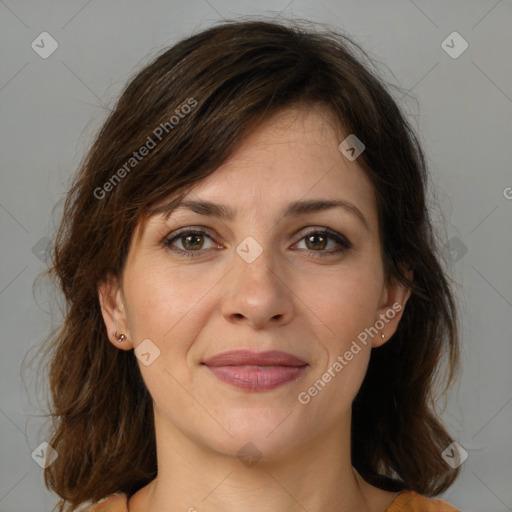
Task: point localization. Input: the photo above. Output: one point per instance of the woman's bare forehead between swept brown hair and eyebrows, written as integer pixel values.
(294, 153)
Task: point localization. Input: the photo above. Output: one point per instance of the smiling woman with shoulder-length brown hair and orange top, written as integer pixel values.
(256, 312)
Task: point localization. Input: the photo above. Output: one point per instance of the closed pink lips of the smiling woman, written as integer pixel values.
(253, 371)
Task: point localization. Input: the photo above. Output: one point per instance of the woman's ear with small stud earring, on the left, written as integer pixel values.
(111, 299)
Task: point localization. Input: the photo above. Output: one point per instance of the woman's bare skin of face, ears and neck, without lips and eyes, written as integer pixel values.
(286, 299)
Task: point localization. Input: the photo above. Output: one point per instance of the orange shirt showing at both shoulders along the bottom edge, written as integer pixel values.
(406, 501)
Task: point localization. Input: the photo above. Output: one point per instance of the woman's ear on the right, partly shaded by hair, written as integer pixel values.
(391, 307)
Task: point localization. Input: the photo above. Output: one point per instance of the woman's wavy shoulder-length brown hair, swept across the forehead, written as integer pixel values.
(233, 76)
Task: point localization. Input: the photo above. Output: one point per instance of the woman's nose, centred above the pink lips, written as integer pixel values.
(258, 293)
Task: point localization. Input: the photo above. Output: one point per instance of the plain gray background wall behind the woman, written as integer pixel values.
(462, 107)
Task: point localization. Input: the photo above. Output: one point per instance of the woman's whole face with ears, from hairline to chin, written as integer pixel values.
(273, 276)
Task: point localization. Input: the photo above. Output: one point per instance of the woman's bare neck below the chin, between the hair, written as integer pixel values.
(316, 476)
